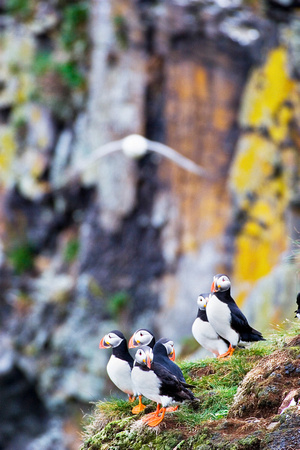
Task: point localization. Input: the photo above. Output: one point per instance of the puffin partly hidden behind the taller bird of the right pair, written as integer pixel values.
(203, 331)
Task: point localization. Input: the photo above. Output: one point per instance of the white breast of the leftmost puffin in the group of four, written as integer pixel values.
(119, 372)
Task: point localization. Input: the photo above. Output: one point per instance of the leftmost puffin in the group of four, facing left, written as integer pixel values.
(120, 365)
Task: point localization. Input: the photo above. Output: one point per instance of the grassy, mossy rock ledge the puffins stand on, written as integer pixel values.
(248, 402)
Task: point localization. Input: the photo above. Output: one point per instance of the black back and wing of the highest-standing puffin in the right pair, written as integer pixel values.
(238, 321)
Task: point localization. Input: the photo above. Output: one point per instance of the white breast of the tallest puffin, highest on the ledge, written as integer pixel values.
(219, 316)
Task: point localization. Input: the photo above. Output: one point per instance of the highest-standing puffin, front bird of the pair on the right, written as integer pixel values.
(226, 318)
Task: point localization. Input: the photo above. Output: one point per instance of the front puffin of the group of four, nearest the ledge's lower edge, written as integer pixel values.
(157, 383)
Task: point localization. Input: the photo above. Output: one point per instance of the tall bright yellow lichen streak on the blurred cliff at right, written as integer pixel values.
(258, 180)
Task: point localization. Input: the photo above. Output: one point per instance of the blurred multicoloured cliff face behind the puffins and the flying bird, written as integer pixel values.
(131, 243)
